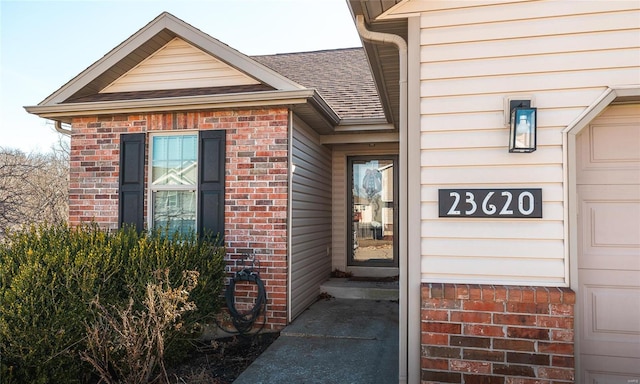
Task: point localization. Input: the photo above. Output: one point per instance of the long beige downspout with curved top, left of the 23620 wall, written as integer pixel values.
(401, 44)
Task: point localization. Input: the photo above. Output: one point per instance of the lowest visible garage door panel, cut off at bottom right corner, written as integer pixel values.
(599, 370)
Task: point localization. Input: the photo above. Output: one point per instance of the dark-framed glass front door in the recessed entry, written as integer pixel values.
(372, 201)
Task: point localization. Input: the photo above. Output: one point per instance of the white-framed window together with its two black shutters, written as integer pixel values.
(186, 181)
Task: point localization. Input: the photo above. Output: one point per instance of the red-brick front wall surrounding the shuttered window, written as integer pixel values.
(256, 193)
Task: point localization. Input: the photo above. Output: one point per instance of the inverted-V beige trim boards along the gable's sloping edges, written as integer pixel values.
(190, 34)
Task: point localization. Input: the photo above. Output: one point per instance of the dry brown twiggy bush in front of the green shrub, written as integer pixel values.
(127, 345)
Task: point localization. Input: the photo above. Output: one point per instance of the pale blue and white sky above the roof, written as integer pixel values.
(44, 44)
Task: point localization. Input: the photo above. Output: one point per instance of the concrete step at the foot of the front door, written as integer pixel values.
(371, 290)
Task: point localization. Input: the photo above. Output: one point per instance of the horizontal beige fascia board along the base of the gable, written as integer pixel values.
(253, 99)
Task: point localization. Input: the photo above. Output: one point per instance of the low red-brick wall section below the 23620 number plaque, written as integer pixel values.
(496, 334)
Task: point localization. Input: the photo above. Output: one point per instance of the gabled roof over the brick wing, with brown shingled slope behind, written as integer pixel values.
(323, 87)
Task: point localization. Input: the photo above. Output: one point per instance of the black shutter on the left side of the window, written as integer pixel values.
(131, 185)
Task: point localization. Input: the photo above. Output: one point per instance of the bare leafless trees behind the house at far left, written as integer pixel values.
(33, 187)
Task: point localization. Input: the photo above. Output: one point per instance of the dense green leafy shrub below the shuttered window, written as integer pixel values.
(49, 275)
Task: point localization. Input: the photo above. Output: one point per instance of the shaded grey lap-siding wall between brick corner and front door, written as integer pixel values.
(310, 218)
